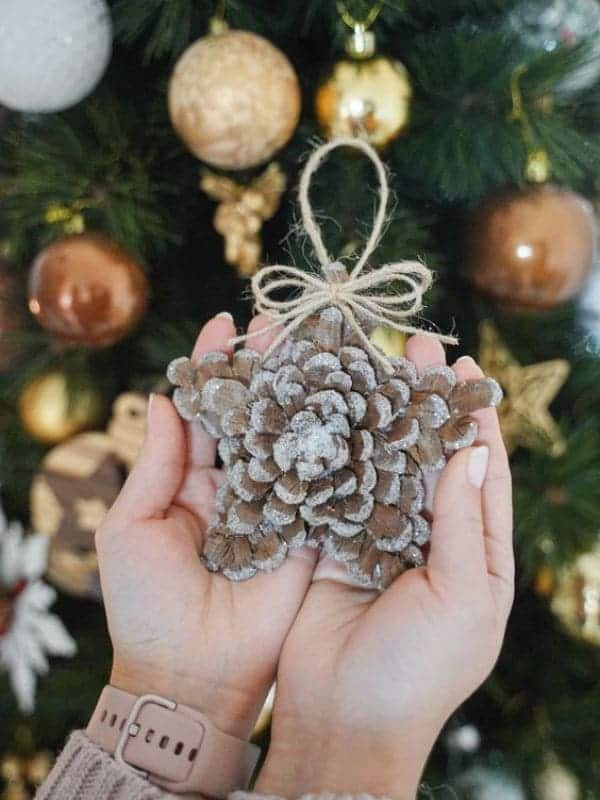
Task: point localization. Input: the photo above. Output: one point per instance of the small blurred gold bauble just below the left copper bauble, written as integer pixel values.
(51, 411)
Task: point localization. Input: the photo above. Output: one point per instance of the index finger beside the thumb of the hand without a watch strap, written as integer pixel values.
(497, 491)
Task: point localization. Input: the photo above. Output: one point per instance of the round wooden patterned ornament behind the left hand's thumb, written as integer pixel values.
(76, 484)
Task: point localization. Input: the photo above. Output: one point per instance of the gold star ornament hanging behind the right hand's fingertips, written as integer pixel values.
(528, 391)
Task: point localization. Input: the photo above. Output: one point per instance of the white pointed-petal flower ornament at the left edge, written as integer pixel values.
(29, 633)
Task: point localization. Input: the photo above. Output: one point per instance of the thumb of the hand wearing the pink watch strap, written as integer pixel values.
(159, 470)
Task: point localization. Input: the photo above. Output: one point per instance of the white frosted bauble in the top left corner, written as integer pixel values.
(52, 52)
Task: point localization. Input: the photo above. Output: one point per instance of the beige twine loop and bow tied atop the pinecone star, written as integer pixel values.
(355, 293)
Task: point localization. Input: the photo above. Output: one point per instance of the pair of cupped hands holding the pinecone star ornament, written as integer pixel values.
(365, 681)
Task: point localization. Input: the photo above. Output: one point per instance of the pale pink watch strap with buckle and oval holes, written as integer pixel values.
(174, 746)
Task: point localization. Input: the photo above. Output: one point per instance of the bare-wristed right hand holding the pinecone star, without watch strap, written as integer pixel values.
(367, 680)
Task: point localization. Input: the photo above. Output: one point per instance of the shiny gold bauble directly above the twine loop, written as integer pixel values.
(365, 98)
